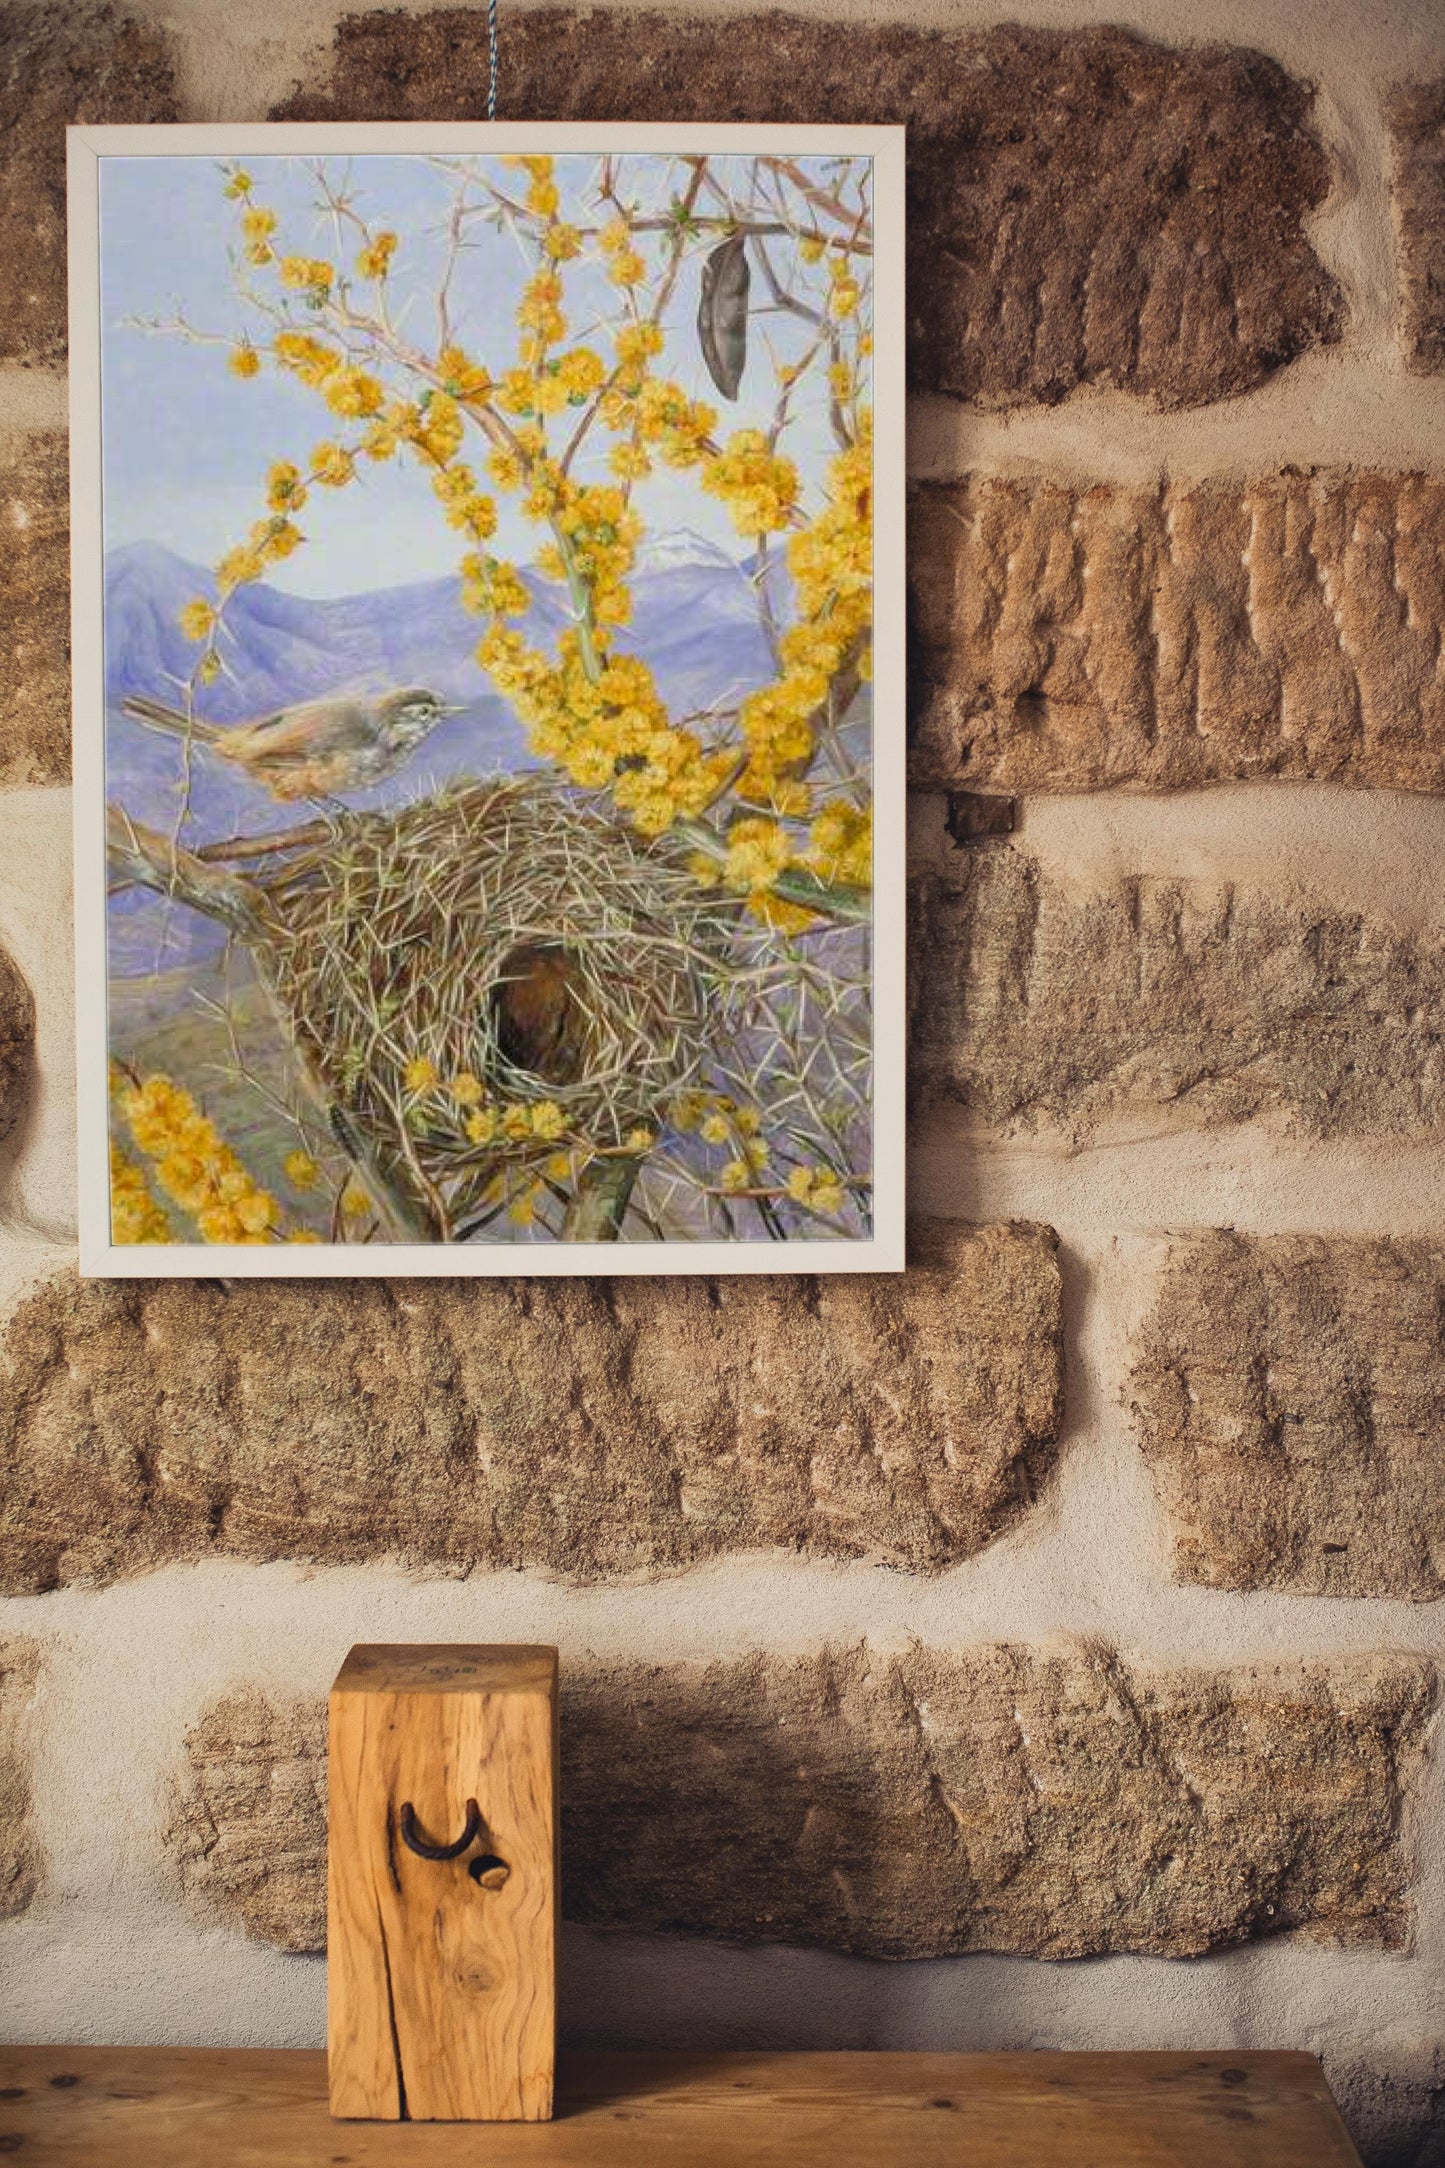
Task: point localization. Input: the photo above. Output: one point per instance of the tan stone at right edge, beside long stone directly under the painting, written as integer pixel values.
(1290, 1395)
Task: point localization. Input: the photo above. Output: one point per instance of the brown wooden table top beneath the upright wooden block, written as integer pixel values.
(265, 2108)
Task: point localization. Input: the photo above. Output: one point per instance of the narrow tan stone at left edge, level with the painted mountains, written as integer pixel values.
(34, 608)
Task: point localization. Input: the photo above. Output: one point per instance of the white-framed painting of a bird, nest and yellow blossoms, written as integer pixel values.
(489, 699)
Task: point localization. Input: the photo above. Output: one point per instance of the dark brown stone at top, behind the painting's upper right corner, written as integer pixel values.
(1086, 207)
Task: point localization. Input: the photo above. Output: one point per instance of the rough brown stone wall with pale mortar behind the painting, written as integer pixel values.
(1080, 1592)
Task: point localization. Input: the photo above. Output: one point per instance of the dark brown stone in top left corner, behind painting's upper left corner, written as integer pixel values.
(60, 66)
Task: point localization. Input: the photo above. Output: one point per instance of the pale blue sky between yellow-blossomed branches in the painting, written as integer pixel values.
(187, 443)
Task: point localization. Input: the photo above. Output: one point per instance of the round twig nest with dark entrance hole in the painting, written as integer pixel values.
(497, 972)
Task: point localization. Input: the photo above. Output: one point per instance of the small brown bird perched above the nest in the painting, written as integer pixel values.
(315, 749)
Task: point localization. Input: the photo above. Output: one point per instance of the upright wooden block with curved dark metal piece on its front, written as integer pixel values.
(443, 1972)
